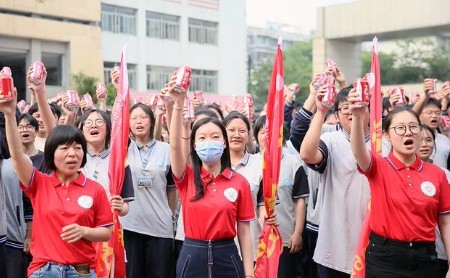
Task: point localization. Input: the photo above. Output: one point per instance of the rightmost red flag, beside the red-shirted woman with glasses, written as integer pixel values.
(359, 266)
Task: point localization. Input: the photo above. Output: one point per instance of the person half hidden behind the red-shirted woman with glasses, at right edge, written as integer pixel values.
(427, 147)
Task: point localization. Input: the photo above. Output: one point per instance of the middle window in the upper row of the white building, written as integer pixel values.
(163, 26)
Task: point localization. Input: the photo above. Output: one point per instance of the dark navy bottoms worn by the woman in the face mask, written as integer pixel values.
(209, 259)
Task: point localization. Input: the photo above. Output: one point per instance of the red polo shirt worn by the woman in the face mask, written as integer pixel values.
(227, 199)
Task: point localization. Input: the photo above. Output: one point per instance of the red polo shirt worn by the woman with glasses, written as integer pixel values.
(406, 200)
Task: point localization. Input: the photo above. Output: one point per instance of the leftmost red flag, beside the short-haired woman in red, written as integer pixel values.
(111, 254)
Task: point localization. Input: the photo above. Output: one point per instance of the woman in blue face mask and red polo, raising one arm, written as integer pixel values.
(216, 201)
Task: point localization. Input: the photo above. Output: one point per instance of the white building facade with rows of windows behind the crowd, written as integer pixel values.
(207, 35)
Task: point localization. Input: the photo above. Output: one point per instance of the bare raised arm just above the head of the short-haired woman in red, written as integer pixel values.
(41, 97)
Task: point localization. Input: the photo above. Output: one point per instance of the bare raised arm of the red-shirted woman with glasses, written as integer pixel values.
(357, 135)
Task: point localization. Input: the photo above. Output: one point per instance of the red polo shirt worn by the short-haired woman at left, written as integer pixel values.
(83, 202)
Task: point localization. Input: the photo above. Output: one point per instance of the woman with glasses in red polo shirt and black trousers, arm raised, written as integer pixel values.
(409, 198)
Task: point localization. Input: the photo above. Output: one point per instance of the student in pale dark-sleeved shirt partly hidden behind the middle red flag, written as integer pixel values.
(292, 191)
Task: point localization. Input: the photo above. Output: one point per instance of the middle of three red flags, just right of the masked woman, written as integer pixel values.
(270, 242)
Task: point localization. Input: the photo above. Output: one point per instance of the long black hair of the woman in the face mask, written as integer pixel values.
(225, 160)
